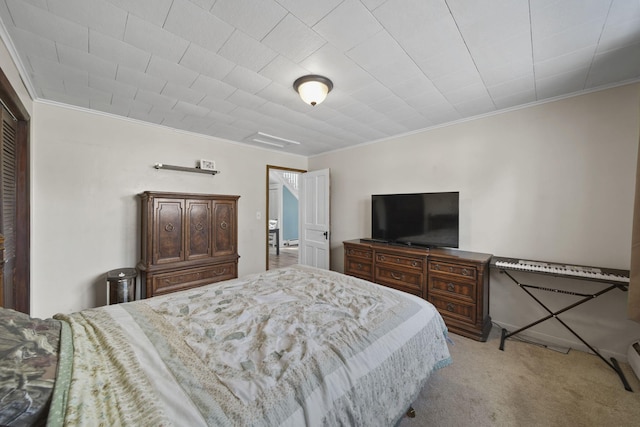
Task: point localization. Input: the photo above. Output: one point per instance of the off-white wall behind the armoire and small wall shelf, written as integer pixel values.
(87, 170)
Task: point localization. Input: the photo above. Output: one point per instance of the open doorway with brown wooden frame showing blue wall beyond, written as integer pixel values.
(282, 215)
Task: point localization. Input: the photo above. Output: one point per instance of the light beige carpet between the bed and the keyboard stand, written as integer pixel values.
(525, 385)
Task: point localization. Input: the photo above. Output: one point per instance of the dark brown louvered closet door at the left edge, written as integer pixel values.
(8, 202)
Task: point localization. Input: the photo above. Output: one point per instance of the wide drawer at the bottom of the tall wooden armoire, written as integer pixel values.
(163, 283)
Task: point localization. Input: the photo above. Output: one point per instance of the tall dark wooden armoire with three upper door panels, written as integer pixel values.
(187, 240)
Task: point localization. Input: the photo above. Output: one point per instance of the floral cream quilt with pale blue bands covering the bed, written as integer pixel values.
(292, 346)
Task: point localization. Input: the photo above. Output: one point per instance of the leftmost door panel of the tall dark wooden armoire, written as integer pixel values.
(168, 231)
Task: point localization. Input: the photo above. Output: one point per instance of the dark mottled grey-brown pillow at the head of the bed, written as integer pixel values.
(28, 361)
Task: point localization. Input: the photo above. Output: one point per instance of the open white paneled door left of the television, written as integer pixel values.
(314, 219)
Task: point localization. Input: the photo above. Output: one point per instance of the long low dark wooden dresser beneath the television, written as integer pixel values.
(455, 282)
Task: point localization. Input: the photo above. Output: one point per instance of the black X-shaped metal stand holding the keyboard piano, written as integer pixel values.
(613, 364)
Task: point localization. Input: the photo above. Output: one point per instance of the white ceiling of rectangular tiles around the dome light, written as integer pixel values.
(225, 68)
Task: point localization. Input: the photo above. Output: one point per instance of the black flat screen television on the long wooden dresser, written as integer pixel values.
(422, 219)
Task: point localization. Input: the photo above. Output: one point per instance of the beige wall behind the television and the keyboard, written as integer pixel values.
(551, 182)
